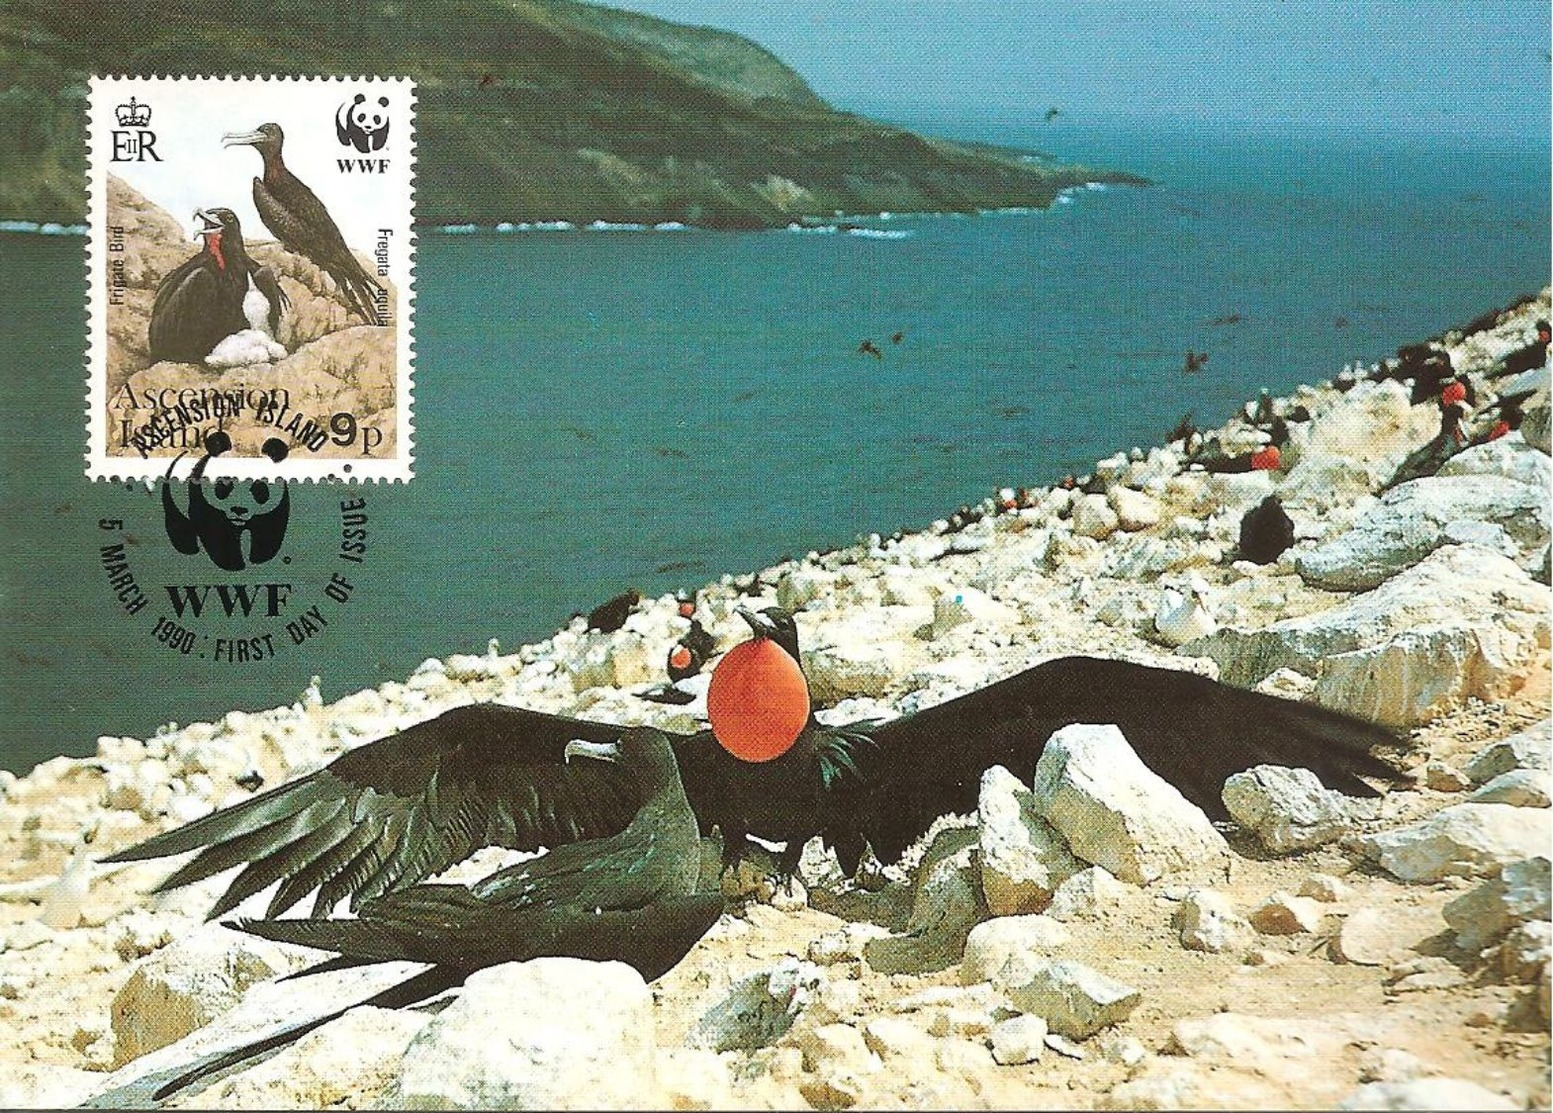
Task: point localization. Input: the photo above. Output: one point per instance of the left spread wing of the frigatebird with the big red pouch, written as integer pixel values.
(392, 813)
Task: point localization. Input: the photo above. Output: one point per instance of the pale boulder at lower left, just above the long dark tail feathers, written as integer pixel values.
(192, 982)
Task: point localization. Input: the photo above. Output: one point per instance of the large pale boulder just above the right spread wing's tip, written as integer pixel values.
(1464, 623)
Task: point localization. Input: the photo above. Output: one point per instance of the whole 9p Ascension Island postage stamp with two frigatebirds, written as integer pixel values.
(251, 269)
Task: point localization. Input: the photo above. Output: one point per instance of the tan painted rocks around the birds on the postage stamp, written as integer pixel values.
(333, 361)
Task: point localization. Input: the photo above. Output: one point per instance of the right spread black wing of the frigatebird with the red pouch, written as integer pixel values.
(1190, 730)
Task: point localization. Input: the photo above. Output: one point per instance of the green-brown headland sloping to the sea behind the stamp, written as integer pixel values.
(530, 111)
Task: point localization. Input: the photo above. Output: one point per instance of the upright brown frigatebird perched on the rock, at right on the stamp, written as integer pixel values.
(304, 226)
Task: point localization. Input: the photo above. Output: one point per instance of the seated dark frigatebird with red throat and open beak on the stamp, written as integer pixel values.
(212, 296)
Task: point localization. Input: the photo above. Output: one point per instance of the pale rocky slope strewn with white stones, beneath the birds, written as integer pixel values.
(1065, 948)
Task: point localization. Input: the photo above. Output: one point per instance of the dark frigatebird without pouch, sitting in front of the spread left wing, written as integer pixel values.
(628, 898)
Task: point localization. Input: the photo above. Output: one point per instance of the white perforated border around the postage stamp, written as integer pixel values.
(100, 465)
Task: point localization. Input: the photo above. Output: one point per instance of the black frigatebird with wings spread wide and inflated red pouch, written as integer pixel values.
(397, 811)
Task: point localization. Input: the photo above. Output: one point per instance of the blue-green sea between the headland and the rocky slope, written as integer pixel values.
(600, 411)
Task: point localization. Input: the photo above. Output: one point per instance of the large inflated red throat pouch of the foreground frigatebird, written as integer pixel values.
(759, 701)
